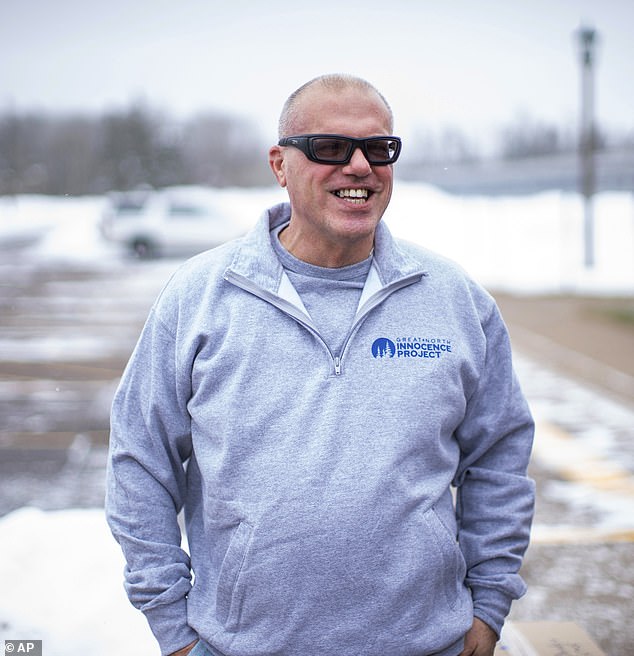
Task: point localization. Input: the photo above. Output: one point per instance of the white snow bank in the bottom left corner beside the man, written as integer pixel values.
(61, 579)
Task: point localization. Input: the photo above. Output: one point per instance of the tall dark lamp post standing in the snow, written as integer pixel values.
(587, 142)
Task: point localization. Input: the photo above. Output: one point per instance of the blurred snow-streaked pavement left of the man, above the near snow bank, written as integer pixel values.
(65, 336)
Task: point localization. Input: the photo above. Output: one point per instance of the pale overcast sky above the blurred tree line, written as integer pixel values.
(472, 64)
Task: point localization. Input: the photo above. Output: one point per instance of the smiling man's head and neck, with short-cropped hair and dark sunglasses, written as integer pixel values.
(335, 207)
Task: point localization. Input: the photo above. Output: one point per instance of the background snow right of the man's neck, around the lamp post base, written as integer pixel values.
(525, 244)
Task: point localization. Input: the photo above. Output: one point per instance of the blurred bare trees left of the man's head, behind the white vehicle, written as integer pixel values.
(126, 148)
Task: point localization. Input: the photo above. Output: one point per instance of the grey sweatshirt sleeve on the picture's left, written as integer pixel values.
(150, 442)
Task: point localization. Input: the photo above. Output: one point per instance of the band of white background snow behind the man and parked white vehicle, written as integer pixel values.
(520, 243)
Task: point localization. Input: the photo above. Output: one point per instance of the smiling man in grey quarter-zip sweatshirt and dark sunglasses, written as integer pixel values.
(310, 395)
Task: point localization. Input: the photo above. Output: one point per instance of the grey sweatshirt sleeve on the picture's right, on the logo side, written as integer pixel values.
(495, 498)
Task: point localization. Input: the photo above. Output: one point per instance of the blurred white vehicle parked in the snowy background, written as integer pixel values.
(173, 222)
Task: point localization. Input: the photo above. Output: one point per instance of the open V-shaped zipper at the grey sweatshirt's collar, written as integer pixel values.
(296, 314)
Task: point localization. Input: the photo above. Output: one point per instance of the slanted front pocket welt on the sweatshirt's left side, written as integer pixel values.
(227, 601)
